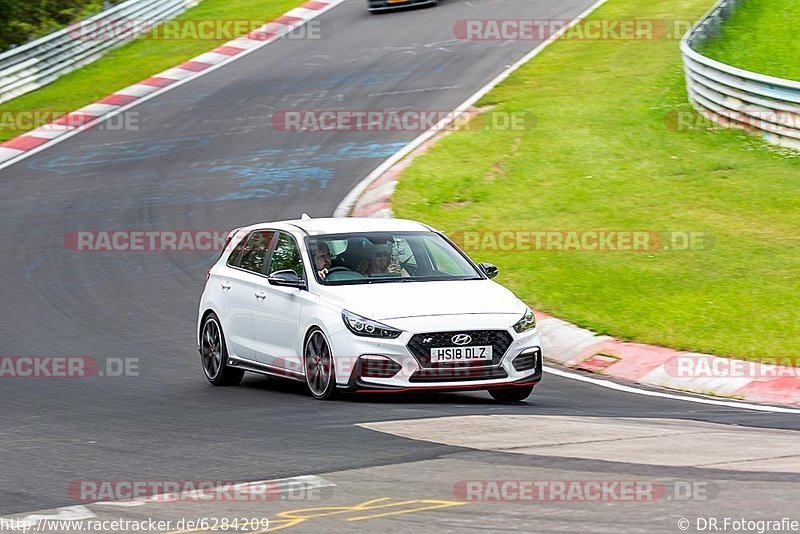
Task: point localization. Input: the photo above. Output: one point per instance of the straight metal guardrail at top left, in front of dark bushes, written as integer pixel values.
(30, 66)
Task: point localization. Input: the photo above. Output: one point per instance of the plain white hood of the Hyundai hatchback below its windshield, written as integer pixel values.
(394, 300)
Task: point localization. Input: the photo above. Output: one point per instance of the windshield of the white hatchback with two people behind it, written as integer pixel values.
(383, 257)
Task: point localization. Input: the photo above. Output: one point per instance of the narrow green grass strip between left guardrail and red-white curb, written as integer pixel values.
(136, 61)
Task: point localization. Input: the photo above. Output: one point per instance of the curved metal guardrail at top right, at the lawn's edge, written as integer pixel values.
(736, 97)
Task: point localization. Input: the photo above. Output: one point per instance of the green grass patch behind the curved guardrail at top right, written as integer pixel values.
(761, 37)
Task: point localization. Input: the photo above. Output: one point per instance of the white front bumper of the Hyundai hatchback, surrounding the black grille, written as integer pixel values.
(414, 375)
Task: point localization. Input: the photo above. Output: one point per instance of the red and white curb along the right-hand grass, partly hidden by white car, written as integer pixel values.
(578, 348)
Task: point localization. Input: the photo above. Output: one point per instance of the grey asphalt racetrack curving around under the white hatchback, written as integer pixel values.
(206, 157)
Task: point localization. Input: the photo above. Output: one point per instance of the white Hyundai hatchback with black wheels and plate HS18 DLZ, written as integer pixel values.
(368, 305)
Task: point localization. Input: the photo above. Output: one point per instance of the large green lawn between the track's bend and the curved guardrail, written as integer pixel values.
(602, 157)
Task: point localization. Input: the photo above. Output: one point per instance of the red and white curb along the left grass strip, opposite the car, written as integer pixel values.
(36, 140)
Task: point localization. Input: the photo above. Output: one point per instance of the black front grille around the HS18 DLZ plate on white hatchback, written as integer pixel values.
(420, 346)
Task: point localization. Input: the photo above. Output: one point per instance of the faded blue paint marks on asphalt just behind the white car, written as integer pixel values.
(270, 172)
